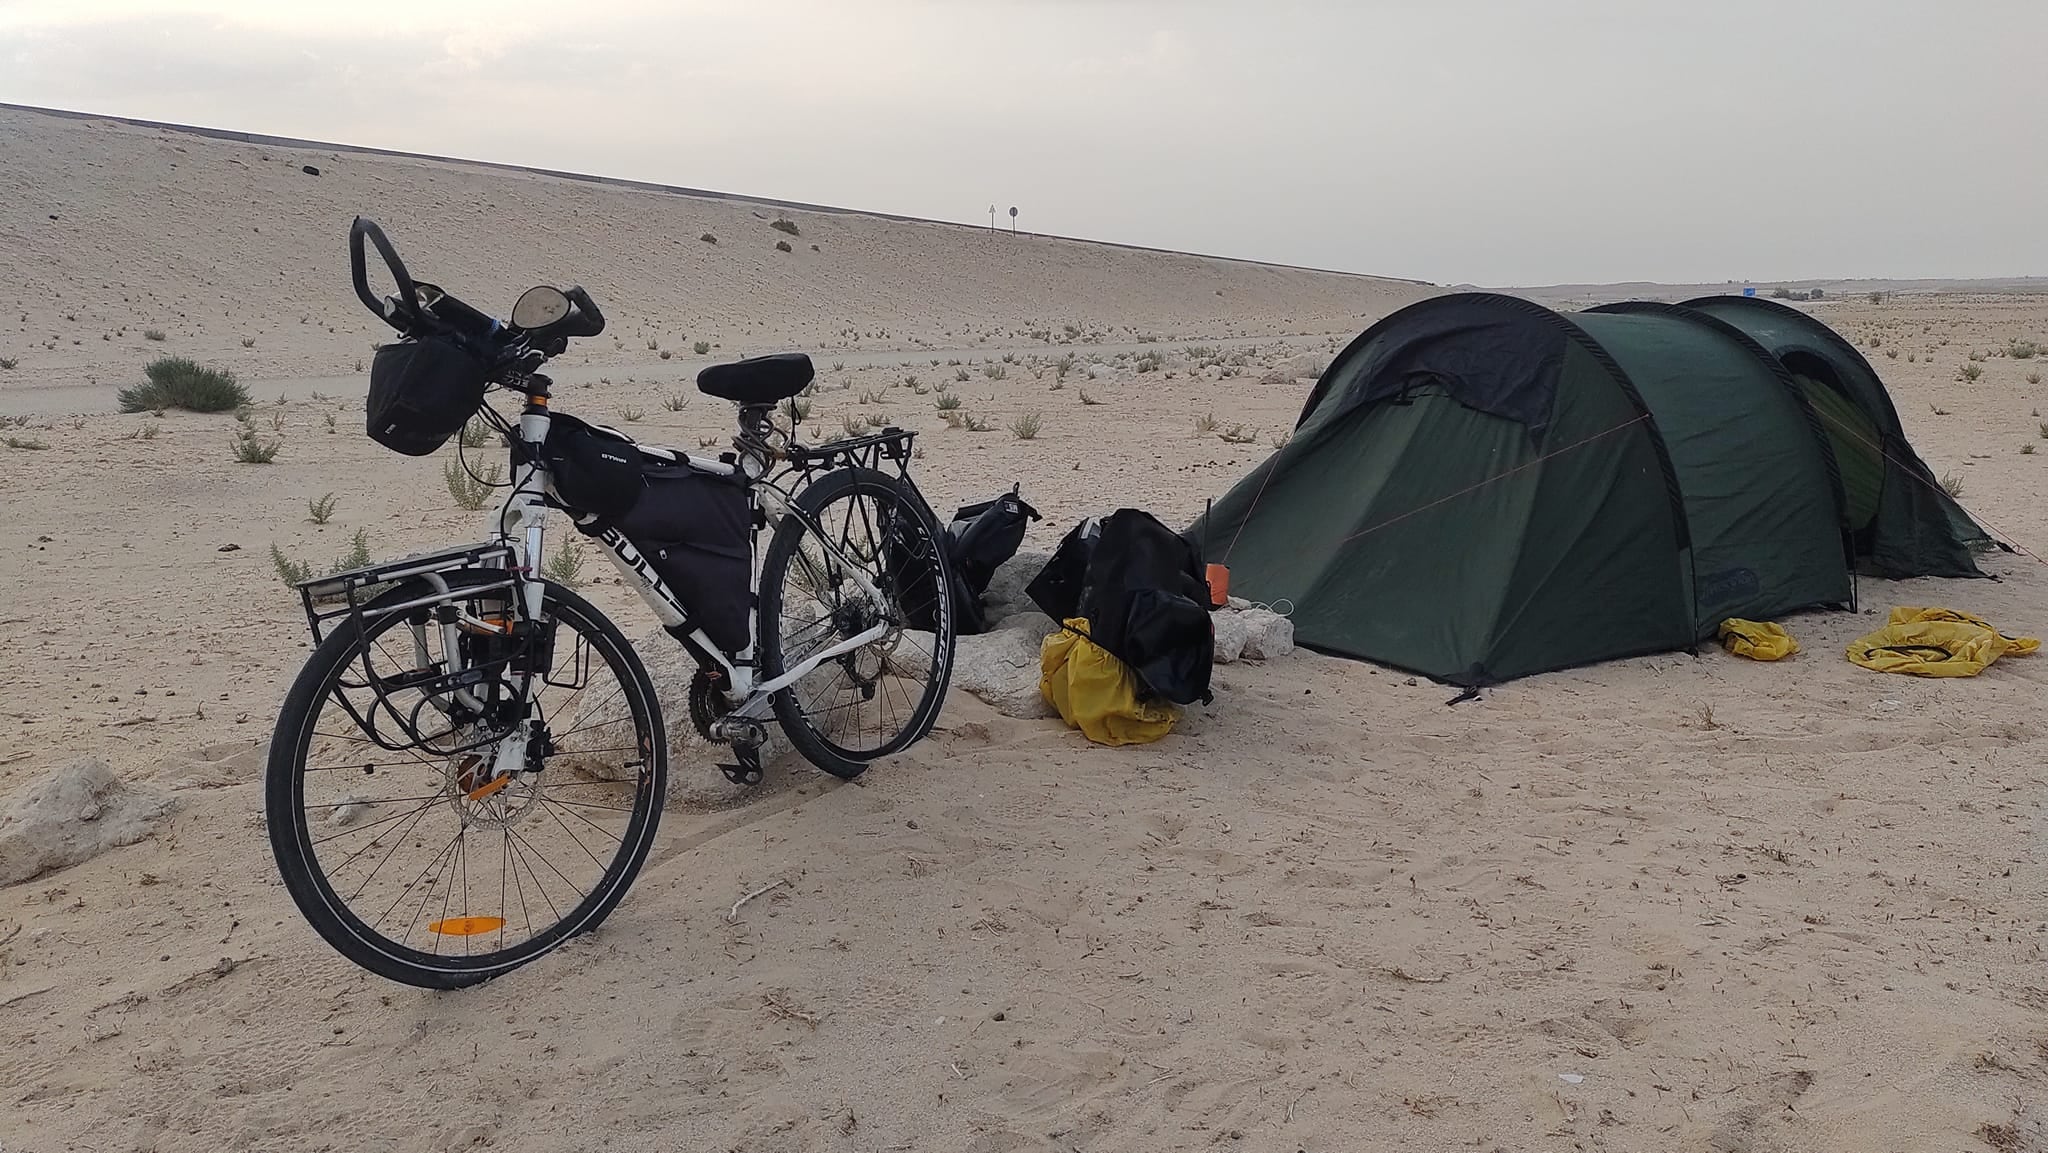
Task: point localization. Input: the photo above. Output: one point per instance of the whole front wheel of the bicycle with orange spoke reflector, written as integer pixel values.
(402, 849)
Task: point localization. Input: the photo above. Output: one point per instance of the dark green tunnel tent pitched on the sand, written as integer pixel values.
(1482, 488)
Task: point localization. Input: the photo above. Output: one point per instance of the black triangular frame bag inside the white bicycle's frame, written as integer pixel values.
(693, 529)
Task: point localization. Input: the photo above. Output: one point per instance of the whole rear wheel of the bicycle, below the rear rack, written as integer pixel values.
(861, 552)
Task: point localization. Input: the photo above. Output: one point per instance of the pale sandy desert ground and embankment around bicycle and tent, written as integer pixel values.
(1660, 904)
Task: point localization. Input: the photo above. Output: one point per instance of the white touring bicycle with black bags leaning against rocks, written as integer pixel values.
(470, 769)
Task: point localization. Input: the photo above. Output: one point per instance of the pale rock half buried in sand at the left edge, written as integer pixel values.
(73, 814)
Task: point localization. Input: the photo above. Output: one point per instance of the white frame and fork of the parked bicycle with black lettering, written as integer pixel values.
(523, 519)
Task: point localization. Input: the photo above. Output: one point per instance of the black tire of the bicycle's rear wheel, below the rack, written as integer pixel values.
(923, 540)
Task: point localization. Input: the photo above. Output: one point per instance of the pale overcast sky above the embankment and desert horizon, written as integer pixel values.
(1504, 142)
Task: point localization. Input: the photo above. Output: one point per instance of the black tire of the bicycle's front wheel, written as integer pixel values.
(294, 843)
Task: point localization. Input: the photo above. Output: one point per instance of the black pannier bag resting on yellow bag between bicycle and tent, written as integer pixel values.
(1142, 591)
